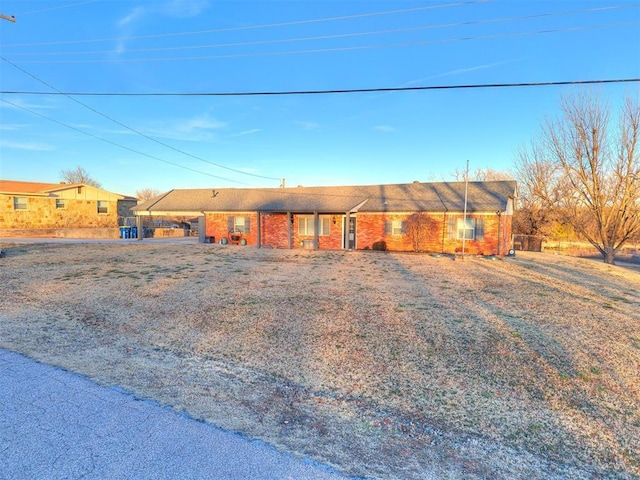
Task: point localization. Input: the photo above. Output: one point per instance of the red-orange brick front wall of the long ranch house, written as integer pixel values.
(370, 229)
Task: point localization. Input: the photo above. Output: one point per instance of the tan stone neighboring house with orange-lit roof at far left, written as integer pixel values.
(38, 206)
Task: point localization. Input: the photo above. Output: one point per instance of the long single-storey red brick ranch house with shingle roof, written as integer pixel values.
(354, 217)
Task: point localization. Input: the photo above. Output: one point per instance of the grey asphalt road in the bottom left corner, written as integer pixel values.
(55, 424)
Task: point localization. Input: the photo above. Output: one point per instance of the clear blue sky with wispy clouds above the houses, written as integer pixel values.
(194, 46)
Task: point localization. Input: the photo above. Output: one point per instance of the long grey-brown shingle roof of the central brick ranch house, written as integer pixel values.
(426, 197)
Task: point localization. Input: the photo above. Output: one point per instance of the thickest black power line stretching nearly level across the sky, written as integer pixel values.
(328, 92)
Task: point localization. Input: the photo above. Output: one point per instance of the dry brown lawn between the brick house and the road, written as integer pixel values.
(379, 364)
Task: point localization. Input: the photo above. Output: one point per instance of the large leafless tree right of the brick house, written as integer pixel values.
(587, 170)
